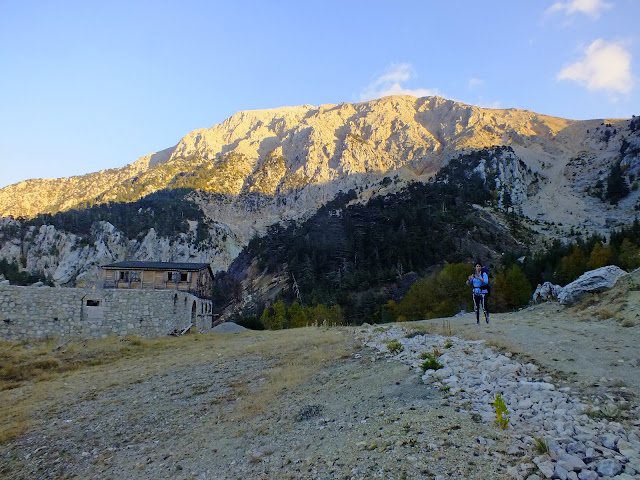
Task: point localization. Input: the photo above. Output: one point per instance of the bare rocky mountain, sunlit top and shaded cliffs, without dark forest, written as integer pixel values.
(260, 167)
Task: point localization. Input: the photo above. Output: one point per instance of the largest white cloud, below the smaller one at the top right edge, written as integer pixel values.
(605, 66)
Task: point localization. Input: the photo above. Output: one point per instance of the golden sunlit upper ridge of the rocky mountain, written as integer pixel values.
(378, 135)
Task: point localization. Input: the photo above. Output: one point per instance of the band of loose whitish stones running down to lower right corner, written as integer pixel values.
(537, 412)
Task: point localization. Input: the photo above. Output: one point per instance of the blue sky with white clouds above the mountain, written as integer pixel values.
(94, 85)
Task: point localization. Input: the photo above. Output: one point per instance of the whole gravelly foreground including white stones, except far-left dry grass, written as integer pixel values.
(337, 404)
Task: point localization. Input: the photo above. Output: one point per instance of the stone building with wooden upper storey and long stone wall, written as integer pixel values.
(138, 298)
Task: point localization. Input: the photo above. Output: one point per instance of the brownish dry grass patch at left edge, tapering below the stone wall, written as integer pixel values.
(36, 376)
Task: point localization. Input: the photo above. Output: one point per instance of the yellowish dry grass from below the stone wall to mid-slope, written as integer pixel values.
(37, 377)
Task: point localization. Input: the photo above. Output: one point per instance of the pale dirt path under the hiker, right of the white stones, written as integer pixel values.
(597, 356)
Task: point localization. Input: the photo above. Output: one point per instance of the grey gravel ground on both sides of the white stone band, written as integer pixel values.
(358, 416)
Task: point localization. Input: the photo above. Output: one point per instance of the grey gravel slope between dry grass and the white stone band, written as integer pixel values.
(362, 416)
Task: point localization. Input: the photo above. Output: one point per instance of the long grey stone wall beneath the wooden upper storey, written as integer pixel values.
(41, 312)
